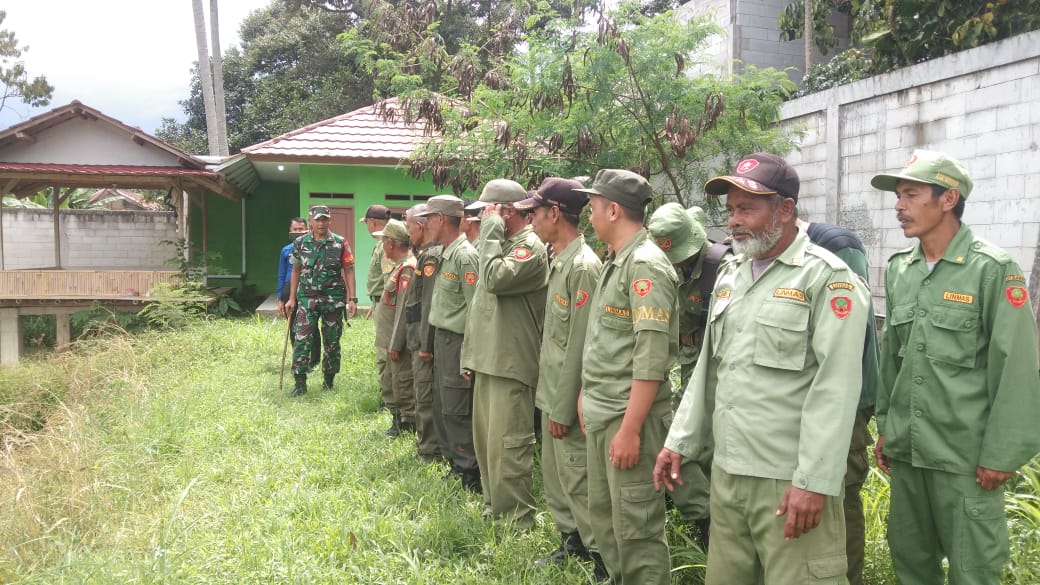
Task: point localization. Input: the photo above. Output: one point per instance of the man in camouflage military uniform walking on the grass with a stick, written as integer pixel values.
(323, 281)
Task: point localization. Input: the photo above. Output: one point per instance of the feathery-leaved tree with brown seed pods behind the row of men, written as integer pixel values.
(630, 94)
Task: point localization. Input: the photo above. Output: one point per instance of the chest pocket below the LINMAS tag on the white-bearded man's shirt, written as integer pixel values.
(783, 339)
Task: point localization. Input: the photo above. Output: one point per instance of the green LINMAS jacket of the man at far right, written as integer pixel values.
(959, 374)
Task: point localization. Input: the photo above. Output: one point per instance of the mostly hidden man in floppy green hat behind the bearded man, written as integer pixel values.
(682, 237)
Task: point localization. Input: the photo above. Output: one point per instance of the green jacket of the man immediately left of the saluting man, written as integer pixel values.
(455, 286)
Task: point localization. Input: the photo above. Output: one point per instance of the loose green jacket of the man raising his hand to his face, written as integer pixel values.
(505, 327)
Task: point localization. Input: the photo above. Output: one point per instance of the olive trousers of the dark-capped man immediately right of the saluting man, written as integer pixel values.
(566, 480)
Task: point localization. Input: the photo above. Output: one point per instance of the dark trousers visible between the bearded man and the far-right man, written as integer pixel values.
(857, 468)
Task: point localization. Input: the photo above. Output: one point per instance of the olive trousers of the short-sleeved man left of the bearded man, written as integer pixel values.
(627, 513)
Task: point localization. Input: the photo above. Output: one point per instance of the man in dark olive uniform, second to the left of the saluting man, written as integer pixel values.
(419, 334)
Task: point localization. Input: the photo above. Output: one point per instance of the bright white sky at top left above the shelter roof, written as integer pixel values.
(131, 60)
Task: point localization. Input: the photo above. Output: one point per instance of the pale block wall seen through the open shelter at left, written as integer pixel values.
(90, 239)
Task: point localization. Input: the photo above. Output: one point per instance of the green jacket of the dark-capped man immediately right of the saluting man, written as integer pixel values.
(573, 281)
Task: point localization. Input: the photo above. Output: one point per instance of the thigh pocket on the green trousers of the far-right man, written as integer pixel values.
(984, 533)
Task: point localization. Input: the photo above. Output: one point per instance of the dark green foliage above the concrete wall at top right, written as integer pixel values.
(902, 33)
